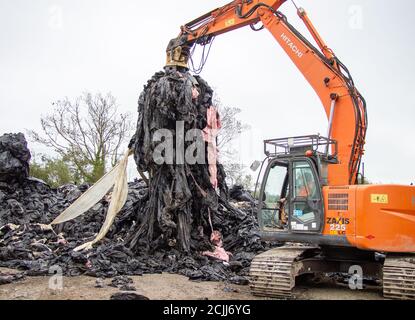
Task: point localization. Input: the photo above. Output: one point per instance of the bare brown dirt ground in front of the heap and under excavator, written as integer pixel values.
(167, 287)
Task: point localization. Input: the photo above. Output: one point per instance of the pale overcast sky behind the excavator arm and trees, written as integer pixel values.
(52, 49)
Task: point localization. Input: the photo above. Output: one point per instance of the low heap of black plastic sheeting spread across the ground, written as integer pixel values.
(26, 245)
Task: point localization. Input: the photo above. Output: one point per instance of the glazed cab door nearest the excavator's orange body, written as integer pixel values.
(306, 200)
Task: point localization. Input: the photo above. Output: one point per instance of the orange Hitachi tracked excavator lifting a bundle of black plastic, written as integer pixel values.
(313, 197)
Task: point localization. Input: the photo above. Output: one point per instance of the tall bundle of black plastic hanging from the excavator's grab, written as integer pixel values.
(182, 196)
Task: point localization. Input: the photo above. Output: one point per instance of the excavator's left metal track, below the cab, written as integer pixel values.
(273, 273)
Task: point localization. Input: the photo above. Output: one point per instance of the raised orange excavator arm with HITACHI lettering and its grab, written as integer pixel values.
(330, 79)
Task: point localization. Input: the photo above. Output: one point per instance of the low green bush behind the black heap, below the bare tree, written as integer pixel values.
(54, 171)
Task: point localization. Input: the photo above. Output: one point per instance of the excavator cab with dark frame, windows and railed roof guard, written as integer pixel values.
(291, 200)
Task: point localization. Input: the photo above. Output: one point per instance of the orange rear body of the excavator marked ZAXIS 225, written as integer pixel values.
(372, 217)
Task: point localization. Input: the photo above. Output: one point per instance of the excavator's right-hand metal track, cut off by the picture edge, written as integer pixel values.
(399, 277)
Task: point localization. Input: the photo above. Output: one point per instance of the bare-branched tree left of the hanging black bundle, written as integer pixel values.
(87, 132)
